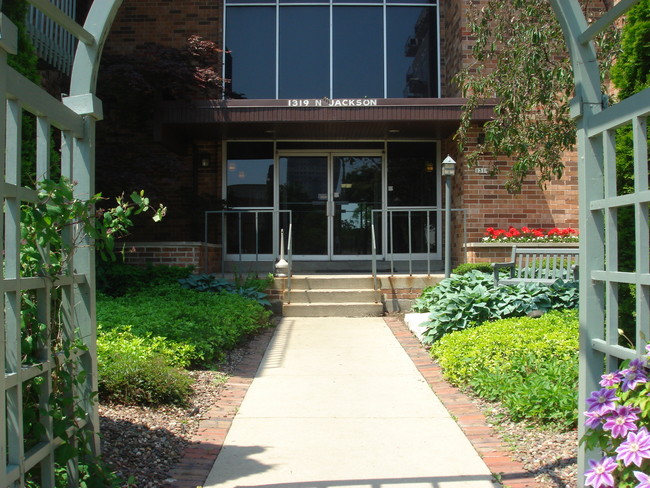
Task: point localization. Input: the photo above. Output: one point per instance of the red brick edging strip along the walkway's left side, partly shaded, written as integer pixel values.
(194, 467)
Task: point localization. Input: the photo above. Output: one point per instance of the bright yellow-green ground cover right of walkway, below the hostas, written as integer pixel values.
(528, 364)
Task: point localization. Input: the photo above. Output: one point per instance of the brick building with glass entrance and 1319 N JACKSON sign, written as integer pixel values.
(336, 117)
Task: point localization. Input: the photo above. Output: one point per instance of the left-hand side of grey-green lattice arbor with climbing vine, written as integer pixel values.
(74, 118)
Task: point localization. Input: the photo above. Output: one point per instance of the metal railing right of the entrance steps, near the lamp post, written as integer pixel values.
(409, 212)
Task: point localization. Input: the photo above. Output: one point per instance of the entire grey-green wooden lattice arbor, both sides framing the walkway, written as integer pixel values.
(75, 118)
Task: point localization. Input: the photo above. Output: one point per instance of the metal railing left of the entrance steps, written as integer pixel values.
(240, 213)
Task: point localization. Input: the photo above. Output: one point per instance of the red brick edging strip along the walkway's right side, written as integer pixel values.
(469, 417)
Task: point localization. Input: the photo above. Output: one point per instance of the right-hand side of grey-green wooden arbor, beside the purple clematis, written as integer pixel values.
(600, 204)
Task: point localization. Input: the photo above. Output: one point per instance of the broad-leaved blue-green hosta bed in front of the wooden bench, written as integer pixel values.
(467, 300)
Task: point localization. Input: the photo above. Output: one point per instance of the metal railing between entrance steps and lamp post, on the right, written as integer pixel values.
(391, 249)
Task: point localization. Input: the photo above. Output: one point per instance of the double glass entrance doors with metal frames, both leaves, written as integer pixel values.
(331, 198)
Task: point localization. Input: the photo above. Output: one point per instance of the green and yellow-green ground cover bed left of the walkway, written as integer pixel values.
(151, 328)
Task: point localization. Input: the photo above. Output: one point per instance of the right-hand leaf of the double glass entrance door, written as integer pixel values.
(356, 192)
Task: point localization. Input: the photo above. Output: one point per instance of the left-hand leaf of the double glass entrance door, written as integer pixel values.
(304, 191)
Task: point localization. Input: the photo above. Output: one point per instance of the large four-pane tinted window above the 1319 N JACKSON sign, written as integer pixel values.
(323, 48)
